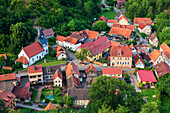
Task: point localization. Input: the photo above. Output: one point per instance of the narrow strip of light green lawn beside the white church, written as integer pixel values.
(50, 63)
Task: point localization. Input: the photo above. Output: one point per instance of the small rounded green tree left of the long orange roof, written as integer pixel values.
(100, 25)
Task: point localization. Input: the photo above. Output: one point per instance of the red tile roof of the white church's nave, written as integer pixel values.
(33, 49)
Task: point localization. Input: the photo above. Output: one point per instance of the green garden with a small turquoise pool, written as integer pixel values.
(51, 95)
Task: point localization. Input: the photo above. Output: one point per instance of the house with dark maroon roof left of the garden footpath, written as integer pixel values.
(22, 93)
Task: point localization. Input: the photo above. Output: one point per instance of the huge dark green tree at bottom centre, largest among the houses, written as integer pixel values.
(103, 91)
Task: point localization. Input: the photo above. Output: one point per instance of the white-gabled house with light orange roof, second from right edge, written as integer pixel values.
(156, 57)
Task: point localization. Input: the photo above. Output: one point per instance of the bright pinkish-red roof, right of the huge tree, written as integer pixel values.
(146, 76)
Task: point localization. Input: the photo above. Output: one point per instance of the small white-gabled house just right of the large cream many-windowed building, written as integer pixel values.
(139, 61)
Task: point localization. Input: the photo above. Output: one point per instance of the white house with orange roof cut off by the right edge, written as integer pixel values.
(166, 55)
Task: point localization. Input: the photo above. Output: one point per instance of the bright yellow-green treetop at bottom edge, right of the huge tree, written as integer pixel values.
(150, 107)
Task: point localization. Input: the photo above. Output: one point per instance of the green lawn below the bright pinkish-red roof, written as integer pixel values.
(149, 93)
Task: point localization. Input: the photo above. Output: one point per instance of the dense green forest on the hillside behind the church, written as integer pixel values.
(18, 19)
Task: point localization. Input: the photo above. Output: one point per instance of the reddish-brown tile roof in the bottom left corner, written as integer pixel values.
(7, 97)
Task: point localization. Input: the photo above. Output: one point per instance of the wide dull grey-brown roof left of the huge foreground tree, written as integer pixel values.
(78, 94)
